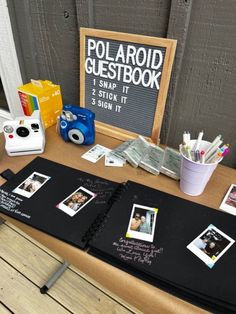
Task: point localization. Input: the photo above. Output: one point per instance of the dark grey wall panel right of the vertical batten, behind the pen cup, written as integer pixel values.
(206, 94)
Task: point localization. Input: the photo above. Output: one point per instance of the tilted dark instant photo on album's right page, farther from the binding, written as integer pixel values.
(210, 245)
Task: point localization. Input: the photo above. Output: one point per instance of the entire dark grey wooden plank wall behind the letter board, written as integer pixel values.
(201, 93)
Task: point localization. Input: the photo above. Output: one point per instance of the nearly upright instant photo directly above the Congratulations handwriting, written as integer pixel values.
(142, 223)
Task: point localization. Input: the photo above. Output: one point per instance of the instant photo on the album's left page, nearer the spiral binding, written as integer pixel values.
(77, 200)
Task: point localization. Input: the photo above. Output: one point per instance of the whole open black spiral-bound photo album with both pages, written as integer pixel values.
(182, 247)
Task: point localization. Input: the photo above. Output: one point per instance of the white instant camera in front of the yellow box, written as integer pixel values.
(24, 135)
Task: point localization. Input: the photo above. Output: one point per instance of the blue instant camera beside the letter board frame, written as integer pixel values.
(77, 125)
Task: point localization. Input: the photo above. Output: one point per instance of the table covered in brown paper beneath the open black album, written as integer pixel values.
(141, 295)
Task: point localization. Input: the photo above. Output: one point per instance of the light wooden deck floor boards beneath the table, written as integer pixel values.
(25, 266)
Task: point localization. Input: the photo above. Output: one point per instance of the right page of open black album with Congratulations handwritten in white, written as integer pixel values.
(180, 246)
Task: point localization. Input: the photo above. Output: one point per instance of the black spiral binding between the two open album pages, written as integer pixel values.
(101, 219)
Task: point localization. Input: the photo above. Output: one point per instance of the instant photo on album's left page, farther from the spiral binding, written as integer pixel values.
(31, 185)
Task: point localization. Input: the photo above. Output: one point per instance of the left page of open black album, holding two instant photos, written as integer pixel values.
(56, 199)
